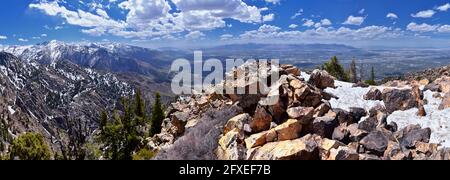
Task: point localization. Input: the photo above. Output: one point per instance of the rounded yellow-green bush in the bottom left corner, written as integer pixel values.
(30, 146)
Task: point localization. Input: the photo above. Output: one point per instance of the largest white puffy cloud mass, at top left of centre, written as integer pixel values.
(156, 18)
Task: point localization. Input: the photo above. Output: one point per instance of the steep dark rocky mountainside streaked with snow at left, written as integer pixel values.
(58, 100)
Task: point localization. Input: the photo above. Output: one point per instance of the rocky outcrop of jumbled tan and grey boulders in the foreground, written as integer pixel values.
(308, 122)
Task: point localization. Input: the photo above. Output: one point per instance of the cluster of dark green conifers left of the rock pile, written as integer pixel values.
(123, 135)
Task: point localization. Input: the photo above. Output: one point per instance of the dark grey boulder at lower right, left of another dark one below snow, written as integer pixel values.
(375, 143)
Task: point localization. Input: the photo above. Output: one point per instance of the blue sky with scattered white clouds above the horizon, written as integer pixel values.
(412, 23)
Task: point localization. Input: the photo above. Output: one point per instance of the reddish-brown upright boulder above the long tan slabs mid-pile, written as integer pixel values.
(261, 120)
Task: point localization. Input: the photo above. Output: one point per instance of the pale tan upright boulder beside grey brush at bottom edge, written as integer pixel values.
(230, 146)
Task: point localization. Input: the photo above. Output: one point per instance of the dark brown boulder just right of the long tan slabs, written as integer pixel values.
(324, 126)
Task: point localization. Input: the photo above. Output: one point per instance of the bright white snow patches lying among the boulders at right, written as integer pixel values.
(437, 120)
